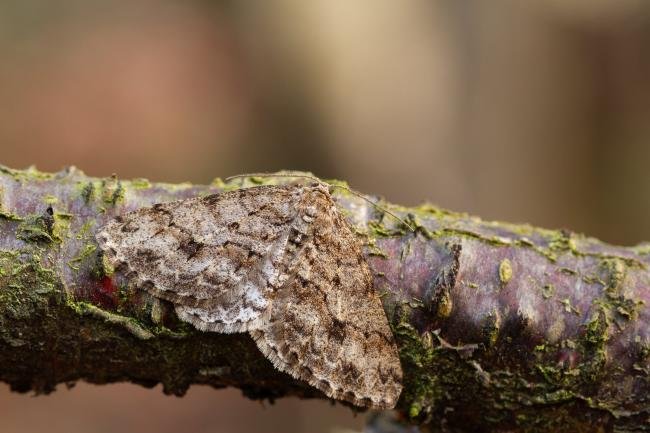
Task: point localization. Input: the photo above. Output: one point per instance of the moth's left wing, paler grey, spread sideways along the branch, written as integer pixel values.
(217, 258)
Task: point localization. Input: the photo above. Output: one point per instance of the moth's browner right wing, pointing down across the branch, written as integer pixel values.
(327, 325)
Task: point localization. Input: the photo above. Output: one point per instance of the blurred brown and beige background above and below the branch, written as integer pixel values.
(521, 111)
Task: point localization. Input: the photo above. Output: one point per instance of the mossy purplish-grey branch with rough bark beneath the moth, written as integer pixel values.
(501, 327)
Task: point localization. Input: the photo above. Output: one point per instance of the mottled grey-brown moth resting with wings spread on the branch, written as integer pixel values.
(279, 262)
